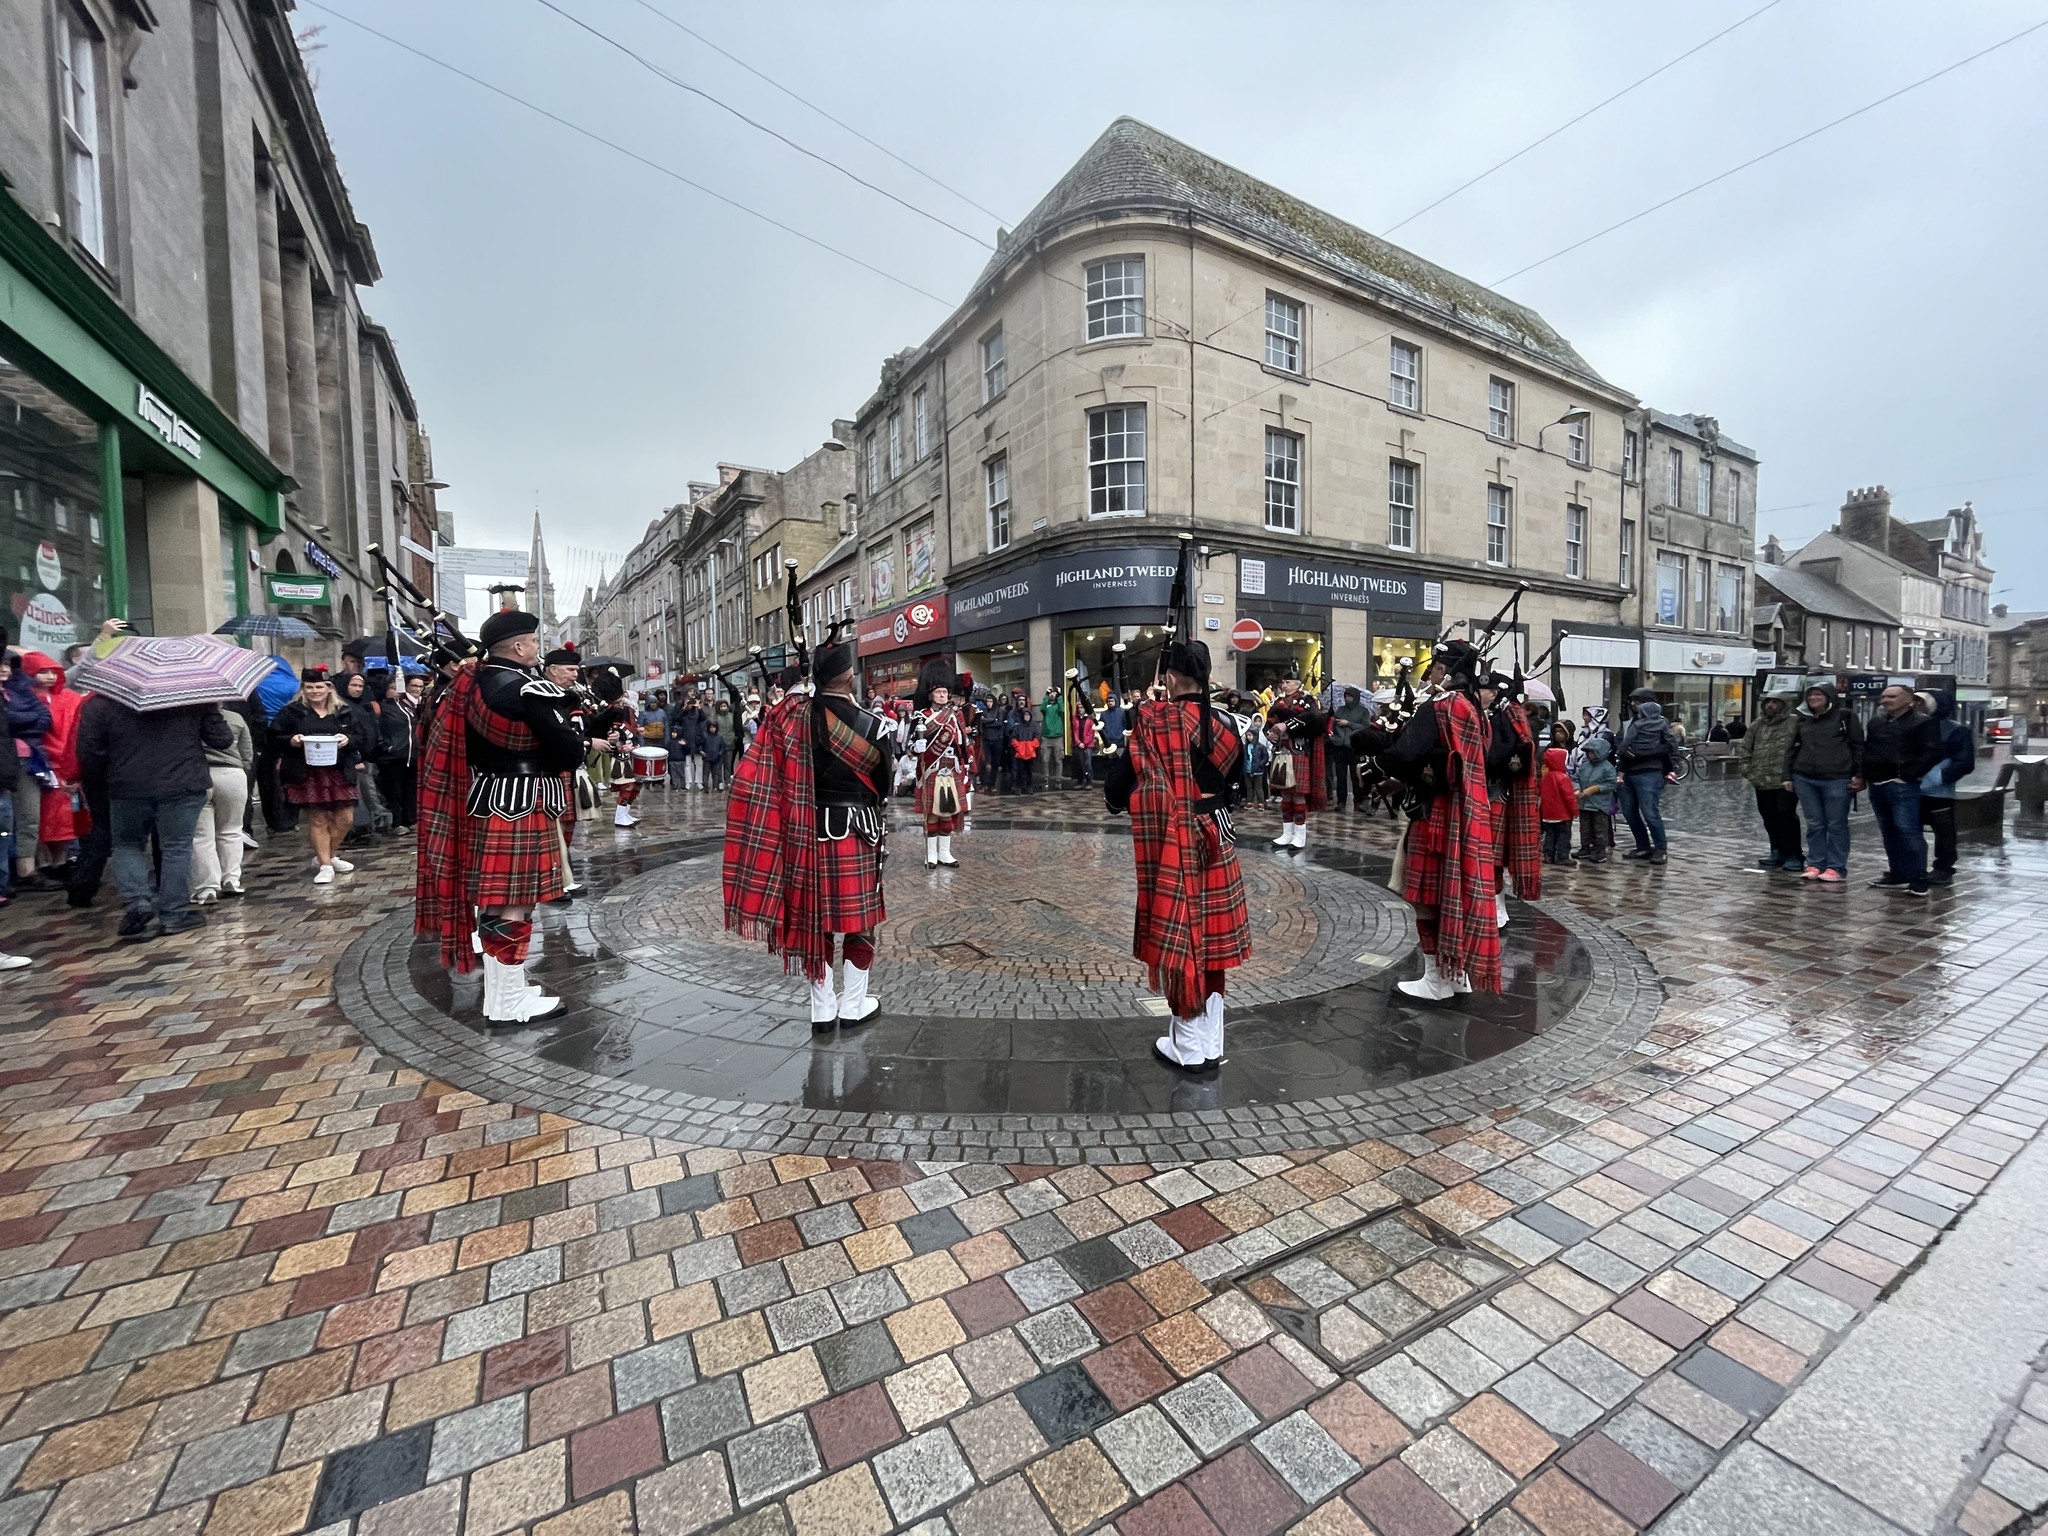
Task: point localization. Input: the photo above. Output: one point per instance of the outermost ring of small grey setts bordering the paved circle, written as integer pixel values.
(1611, 1023)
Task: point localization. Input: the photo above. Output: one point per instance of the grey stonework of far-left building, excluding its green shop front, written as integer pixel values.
(177, 155)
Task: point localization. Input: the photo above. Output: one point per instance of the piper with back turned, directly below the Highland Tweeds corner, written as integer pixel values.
(1181, 779)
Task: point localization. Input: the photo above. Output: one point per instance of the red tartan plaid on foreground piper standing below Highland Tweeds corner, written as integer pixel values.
(1191, 898)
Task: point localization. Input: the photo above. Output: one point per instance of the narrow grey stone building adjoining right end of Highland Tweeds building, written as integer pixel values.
(1697, 546)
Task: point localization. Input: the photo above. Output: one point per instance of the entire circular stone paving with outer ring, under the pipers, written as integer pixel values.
(1015, 1023)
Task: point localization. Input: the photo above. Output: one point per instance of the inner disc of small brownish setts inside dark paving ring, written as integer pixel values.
(1031, 925)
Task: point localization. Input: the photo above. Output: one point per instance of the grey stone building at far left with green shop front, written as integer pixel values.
(200, 415)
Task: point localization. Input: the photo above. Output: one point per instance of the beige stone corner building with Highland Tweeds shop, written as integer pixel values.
(1371, 450)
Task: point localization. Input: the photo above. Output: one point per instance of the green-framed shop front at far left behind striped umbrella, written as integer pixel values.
(124, 488)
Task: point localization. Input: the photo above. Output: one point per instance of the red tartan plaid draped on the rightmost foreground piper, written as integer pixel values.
(1453, 853)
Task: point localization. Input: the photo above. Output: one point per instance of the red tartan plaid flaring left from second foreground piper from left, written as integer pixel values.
(771, 835)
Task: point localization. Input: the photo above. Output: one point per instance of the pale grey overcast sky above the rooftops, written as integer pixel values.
(589, 335)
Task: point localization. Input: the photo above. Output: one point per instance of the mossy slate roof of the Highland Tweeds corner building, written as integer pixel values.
(1136, 167)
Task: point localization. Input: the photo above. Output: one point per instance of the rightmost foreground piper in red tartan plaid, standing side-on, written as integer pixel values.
(1447, 857)
